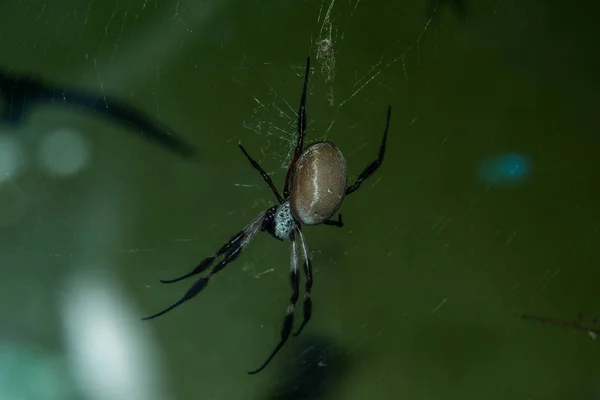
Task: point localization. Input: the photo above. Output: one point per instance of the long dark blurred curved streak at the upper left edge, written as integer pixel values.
(22, 92)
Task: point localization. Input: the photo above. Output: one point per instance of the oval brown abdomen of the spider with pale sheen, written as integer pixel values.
(319, 183)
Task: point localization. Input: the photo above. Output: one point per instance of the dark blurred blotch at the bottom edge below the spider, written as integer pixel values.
(315, 372)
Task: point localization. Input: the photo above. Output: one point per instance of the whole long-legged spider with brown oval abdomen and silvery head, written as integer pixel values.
(315, 186)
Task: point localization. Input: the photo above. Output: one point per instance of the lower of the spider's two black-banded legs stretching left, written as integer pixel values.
(231, 254)
